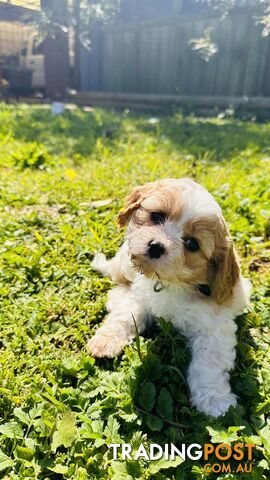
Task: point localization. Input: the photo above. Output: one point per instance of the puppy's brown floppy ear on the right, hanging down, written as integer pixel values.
(226, 267)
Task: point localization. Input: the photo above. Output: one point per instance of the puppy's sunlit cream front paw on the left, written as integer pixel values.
(104, 345)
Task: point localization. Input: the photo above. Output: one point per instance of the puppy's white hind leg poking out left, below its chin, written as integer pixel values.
(119, 268)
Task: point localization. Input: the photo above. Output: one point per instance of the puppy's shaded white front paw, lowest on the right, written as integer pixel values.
(216, 405)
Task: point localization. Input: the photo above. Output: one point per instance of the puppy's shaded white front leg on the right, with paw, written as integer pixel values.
(213, 355)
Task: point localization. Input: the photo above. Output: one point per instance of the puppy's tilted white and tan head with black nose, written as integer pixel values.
(176, 233)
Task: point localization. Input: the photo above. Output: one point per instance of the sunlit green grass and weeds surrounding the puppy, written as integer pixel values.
(60, 409)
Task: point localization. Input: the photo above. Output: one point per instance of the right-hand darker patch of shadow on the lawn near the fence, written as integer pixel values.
(209, 138)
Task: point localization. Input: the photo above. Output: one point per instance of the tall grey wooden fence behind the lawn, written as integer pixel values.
(156, 57)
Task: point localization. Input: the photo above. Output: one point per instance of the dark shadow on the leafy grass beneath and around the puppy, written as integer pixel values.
(161, 393)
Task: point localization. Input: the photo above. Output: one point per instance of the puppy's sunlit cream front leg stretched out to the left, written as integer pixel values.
(118, 329)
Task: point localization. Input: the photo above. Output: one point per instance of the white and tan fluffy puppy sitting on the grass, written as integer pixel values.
(178, 262)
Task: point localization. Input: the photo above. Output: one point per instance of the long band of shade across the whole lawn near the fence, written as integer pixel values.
(77, 131)
